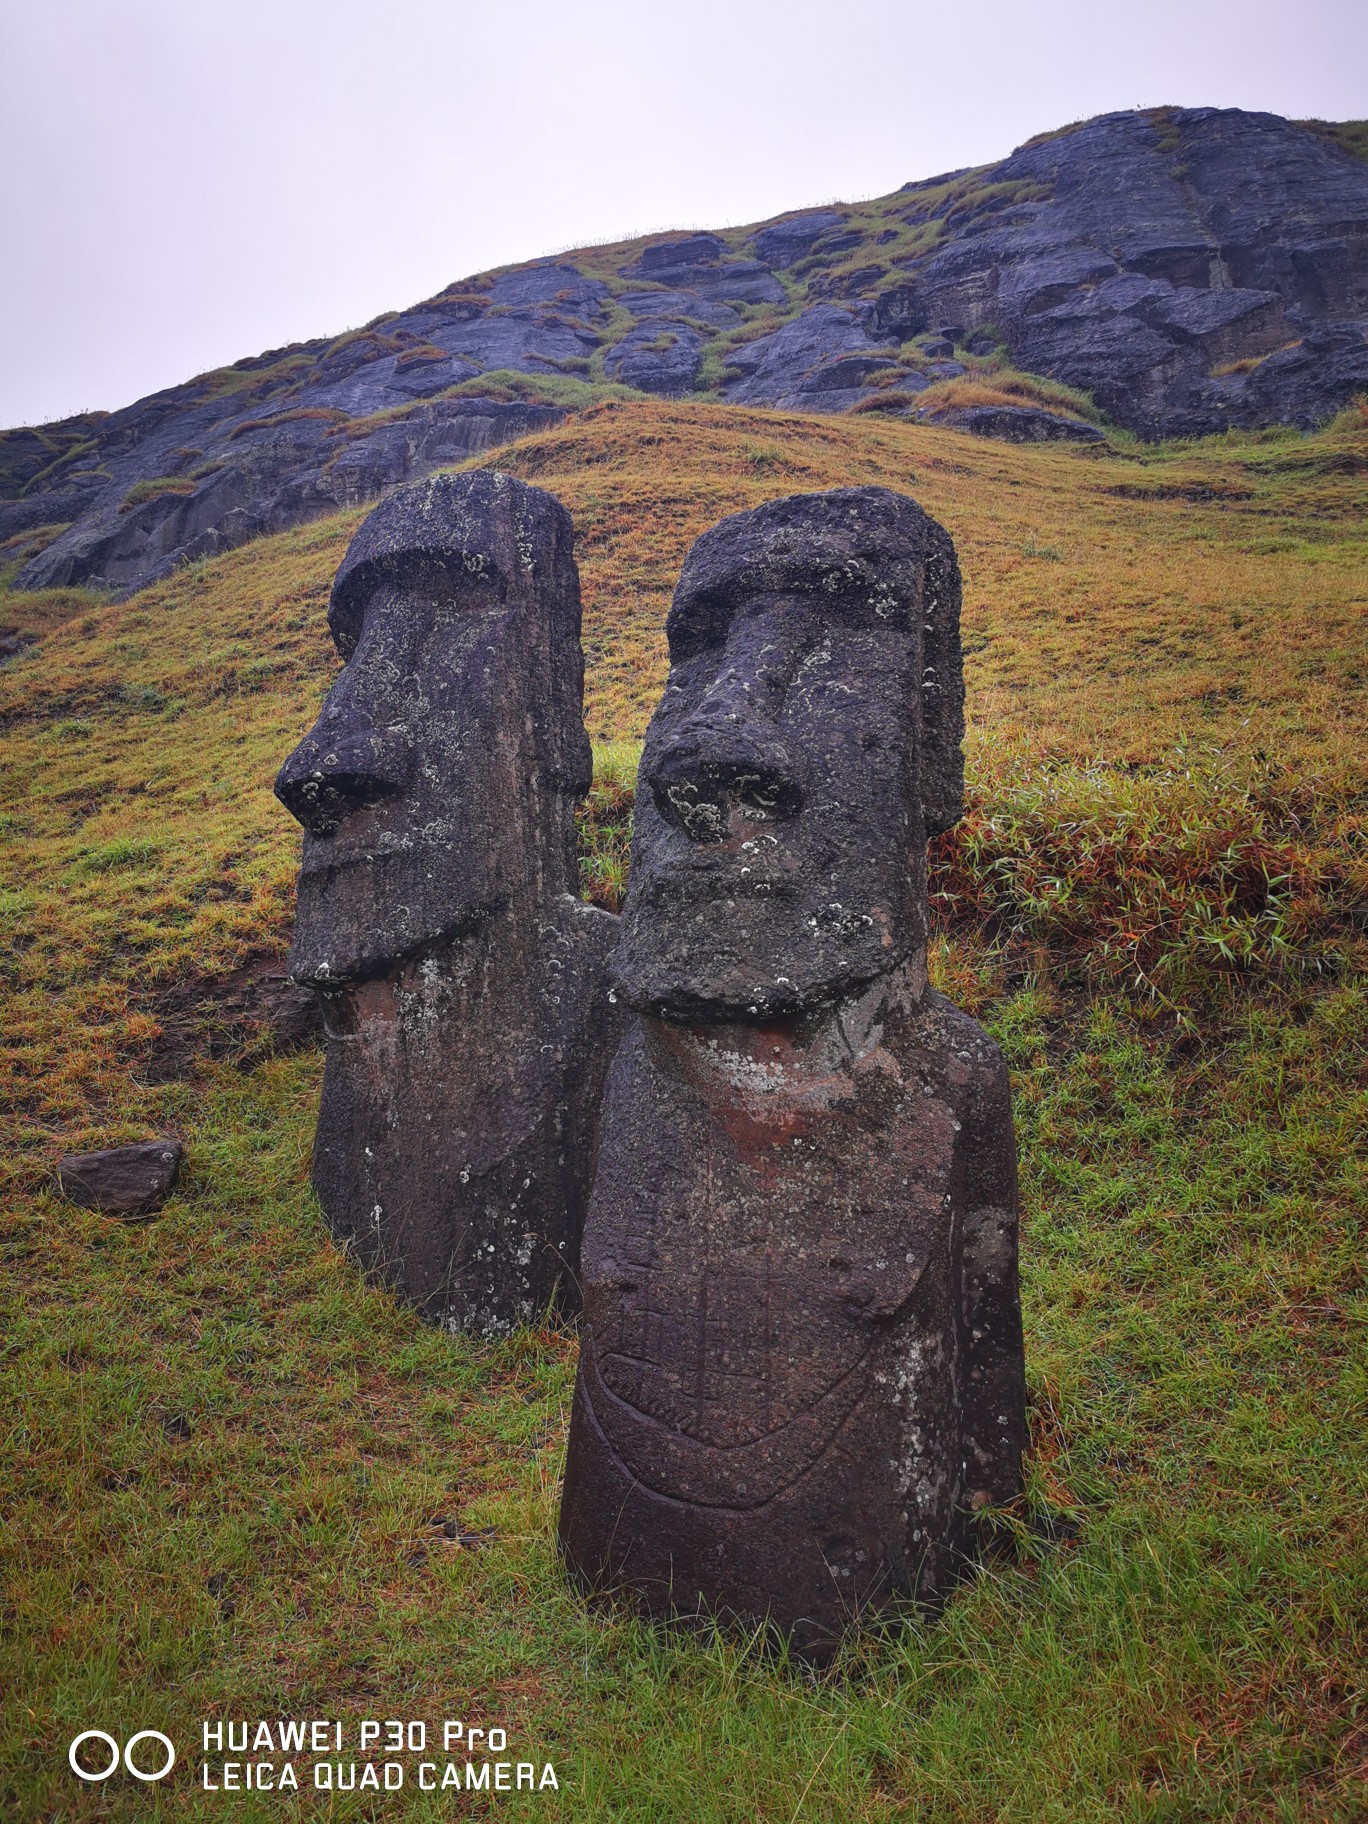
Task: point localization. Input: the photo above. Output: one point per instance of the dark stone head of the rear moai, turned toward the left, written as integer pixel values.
(440, 780)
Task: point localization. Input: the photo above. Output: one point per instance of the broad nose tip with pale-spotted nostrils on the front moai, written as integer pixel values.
(701, 780)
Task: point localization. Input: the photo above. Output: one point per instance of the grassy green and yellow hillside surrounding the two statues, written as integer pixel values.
(242, 1478)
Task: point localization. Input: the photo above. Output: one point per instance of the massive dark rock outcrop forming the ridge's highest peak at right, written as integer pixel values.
(1168, 244)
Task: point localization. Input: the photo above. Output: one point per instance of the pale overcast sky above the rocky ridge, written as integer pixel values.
(191, 181)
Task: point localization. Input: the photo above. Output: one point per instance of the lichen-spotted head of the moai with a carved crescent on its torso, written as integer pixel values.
(805, 749)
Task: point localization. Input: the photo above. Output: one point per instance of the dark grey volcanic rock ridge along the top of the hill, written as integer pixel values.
(1192, 269)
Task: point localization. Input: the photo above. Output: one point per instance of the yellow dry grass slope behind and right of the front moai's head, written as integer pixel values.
(1110, 608)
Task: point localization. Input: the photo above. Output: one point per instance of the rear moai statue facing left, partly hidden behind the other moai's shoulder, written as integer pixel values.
(462, 977)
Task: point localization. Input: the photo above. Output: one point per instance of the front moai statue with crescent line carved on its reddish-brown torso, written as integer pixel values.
(802, 1349)
